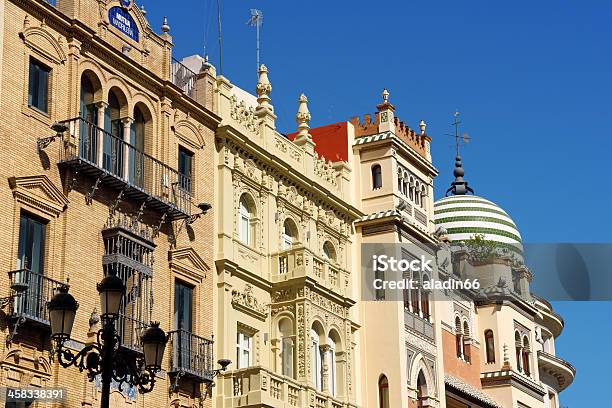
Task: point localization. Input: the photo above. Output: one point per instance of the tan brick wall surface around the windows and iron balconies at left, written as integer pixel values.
(35, 183)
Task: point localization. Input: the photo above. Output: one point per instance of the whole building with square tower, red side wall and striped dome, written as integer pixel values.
(491, 347)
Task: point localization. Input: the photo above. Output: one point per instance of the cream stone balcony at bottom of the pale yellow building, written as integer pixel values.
(257, 386)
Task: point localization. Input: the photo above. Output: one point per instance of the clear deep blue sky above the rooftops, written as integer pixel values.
(531, 79)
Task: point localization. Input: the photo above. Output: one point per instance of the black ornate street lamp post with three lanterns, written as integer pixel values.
(104, 357)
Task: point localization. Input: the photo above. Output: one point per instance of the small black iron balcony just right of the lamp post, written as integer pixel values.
(192, 356)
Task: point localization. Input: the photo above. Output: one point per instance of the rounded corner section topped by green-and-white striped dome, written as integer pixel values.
(498, 341)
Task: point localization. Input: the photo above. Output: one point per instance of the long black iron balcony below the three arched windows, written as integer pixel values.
(114, 163)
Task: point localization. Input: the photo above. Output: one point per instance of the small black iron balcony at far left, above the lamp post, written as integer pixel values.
(31, 303)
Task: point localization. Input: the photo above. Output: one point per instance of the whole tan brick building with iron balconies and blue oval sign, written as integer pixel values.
(107, 156)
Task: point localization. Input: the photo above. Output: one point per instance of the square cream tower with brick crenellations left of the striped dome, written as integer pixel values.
(396, 189)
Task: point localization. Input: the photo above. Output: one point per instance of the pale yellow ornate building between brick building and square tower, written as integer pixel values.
(284, 257)
